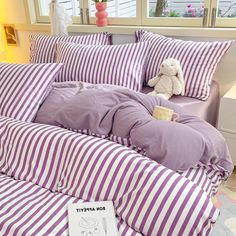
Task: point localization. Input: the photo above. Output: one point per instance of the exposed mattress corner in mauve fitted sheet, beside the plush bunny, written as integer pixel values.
(206, 110)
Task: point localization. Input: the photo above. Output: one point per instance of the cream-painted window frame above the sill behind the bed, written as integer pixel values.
(142, 18)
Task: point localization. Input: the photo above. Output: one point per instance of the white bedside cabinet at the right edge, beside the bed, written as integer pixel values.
(227, 120)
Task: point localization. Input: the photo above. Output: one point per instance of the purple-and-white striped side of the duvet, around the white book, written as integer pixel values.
(45, 168)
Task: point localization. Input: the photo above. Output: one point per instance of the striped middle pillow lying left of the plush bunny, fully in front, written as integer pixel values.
(117, 64)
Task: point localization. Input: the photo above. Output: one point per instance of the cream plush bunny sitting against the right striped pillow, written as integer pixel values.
(170, 80)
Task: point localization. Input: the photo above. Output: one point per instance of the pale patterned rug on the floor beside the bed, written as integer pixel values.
(225, 200)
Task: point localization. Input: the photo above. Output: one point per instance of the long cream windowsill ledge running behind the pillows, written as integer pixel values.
(228, 33)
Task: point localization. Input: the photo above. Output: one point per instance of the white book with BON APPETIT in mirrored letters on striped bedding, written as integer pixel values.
(92, 219)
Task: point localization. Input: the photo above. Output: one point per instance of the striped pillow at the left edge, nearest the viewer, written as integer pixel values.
(24, 87)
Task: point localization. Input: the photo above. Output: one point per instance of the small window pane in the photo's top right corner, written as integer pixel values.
(227, 8)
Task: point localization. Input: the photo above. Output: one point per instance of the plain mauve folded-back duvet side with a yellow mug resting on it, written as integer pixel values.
(110, 110)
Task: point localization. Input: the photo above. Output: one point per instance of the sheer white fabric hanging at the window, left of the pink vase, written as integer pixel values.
(59, 19)
